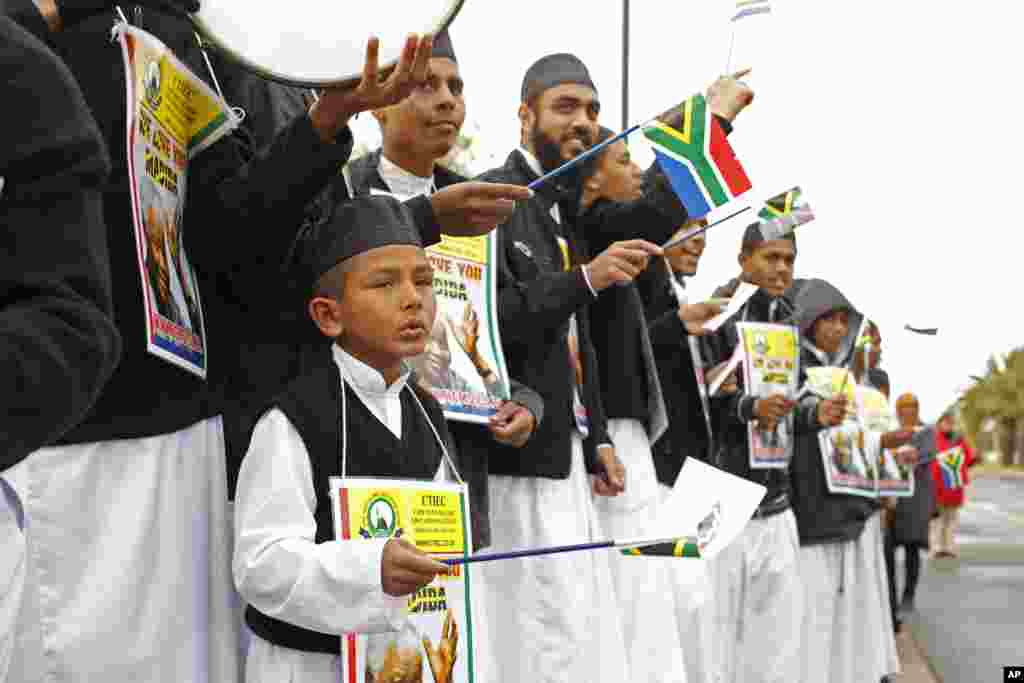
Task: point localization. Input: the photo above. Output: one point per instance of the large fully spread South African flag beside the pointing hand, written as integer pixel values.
(692, 149)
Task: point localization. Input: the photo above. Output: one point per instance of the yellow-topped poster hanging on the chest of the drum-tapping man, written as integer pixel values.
(173, 116)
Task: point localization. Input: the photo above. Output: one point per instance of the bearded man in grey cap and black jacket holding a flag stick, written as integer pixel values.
(560, 611)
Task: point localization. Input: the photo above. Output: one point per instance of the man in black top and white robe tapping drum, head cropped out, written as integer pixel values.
(112, 491)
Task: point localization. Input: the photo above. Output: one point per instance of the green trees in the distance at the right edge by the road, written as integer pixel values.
(1000, 397)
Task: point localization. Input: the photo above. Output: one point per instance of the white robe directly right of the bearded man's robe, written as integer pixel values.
(644, 585)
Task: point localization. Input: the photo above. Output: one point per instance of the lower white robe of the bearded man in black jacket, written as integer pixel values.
(556, 618)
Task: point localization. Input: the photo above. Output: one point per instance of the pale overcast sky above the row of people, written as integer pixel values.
(899, 119)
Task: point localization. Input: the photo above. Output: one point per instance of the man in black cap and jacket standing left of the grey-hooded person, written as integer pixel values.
(758, 593)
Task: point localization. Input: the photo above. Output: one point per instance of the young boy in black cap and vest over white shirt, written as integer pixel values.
(373, 296)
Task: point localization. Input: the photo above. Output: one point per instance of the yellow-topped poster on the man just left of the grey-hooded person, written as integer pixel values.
(772, 366)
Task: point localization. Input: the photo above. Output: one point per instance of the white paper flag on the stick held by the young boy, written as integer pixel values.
(707, 510)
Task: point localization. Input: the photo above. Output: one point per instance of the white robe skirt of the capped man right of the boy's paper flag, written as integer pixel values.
(760, 604)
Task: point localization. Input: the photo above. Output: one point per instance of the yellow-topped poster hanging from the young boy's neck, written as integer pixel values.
(436, 643)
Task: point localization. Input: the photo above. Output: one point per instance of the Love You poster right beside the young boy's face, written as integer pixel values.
(464, 365)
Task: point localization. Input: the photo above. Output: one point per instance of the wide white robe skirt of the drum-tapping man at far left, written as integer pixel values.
(126, 574)
